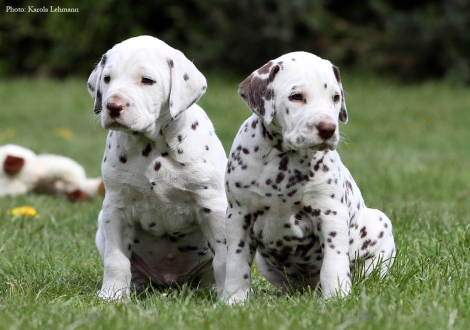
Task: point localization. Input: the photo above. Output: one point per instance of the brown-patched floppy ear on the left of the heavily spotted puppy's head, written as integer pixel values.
(258, 92)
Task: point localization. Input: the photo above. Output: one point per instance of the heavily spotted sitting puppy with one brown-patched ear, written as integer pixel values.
(290, 197)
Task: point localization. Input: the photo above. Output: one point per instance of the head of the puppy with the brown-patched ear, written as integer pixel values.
(303, 95)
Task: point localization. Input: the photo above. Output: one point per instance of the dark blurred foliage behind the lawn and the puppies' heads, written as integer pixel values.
(411, 40)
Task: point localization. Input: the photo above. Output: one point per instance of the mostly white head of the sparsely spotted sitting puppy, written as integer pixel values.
(142, 80)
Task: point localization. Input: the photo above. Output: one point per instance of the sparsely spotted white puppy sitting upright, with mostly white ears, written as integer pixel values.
(163, 217)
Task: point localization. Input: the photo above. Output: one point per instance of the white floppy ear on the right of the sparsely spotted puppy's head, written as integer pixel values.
(187, 83)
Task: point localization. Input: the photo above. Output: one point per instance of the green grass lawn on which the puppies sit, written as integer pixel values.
(406, 146)
